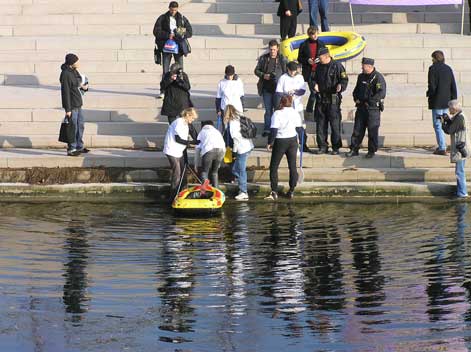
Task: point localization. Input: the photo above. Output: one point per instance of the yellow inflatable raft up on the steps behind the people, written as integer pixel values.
(342, 45)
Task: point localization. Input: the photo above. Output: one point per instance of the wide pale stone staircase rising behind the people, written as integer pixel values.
(114, 40)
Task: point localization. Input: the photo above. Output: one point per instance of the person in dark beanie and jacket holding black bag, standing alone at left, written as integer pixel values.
(71, 92)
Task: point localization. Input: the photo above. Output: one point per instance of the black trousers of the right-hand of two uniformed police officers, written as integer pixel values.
(366, 118)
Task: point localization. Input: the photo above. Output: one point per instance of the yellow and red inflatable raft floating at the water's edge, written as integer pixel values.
(199, 199)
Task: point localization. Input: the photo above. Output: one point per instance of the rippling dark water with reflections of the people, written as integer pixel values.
(260, 277)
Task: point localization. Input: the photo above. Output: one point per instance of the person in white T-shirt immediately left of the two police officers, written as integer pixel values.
(292, 83)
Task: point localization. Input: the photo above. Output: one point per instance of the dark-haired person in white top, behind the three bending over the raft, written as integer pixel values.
(230, 92)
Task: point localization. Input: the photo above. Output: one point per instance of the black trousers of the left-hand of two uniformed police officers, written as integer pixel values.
(328, 114)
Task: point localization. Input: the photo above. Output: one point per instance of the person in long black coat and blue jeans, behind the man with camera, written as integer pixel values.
(441, 89)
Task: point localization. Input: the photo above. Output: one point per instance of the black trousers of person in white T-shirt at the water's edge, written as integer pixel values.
(288, 147)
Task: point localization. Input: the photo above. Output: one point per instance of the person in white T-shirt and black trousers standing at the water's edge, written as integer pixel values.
(286, 126)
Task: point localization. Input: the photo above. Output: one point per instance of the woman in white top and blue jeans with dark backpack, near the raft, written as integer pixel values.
(241, 148)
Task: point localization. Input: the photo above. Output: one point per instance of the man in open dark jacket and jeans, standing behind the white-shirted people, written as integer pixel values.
(270, 68)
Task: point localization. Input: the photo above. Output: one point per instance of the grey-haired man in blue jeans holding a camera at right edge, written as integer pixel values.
(456, 126)
